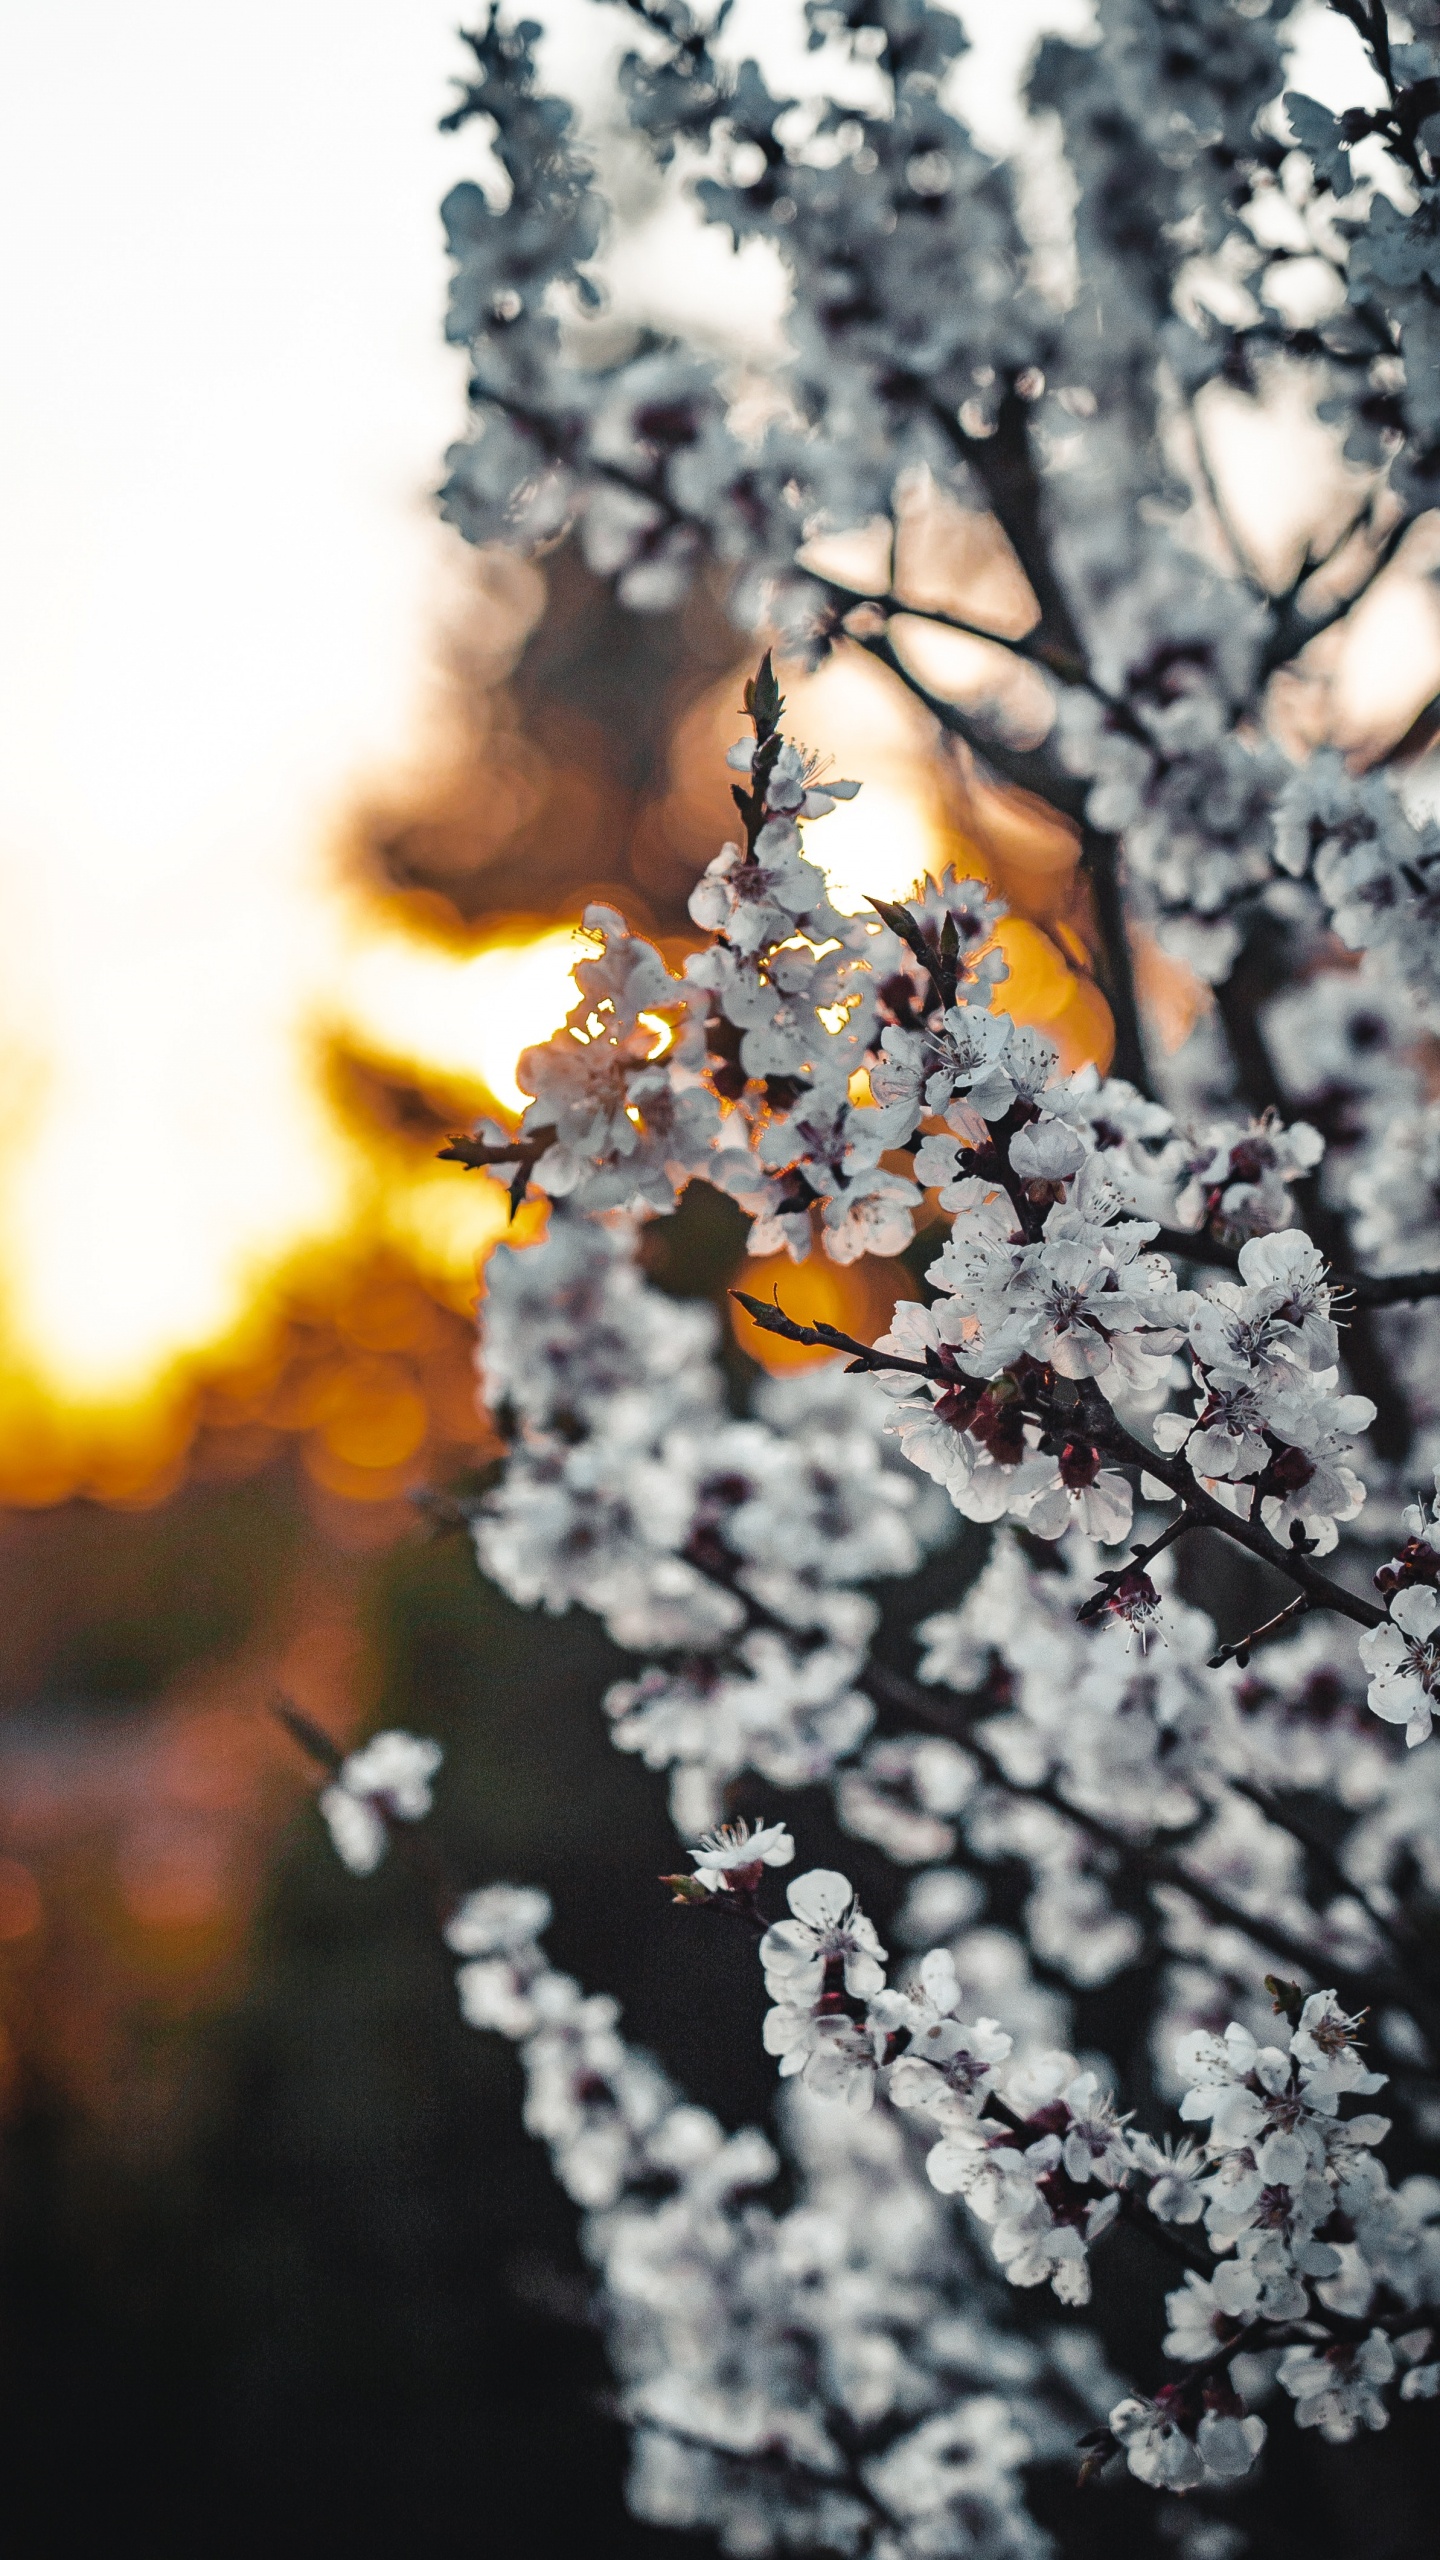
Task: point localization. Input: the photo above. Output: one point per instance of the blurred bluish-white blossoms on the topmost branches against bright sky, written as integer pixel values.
(937, 332)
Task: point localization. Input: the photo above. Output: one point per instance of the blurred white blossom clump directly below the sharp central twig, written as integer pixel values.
(742, 1548)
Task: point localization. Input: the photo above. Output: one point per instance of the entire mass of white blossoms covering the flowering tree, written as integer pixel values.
(1152, 1322)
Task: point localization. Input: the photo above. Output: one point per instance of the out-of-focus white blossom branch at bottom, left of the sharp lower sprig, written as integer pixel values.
(790, 2374)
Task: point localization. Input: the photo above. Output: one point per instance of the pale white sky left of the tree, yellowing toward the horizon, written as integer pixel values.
(227, 403)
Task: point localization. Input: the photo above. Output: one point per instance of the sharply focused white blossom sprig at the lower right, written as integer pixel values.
(1047, 2164)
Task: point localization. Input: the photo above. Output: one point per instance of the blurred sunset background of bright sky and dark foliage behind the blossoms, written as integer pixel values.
(299, 813)
